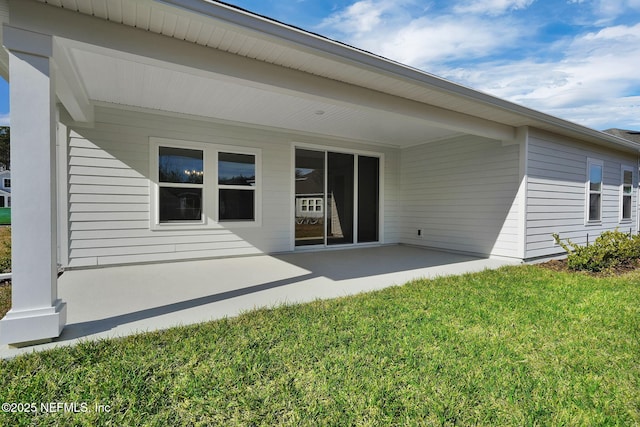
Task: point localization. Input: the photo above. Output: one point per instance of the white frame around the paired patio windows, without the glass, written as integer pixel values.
(210, 186)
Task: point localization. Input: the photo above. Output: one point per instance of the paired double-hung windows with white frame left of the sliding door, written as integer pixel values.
(197, 184)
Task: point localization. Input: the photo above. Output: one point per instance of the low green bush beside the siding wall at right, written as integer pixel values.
(611, 249)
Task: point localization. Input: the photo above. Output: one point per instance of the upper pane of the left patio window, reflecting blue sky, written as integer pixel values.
(180, 165)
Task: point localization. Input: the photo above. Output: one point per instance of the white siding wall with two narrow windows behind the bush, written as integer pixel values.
(556, 192)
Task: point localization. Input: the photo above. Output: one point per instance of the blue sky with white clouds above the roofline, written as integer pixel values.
(575, 59)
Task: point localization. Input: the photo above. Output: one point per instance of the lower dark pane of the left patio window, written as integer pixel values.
(180, 204)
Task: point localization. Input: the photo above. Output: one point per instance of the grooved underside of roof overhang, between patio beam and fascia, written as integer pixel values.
(173, 22)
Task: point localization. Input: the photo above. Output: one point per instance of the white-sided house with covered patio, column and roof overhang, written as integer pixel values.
(157, 131)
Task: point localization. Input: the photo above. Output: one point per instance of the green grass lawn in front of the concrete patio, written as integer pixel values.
(516, 346)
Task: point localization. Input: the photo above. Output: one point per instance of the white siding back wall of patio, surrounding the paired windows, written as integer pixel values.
(109, 196)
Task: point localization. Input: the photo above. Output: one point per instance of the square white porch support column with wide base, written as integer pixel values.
(36, 314)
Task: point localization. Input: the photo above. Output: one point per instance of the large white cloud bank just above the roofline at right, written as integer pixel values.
(596, 82)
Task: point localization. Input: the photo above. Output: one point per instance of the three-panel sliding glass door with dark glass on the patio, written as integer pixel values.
(337, 198)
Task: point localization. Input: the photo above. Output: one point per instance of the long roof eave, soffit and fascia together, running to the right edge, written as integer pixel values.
(391, 78)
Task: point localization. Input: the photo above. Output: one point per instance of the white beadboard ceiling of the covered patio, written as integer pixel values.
(123, 81)
